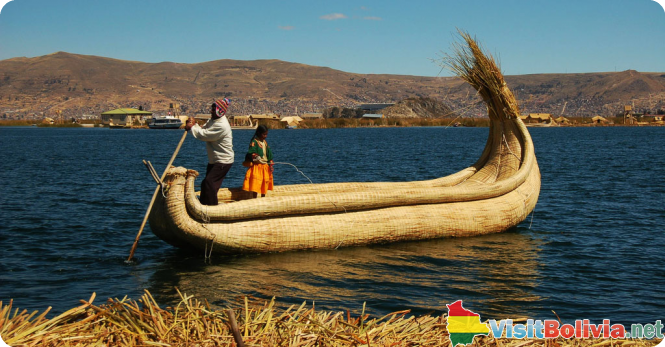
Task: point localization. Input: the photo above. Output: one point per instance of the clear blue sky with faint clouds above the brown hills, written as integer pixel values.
(366, 37)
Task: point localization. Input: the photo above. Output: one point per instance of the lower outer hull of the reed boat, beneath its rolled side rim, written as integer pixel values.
(327, 231)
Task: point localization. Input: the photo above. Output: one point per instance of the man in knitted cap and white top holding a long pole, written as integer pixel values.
(216, 133)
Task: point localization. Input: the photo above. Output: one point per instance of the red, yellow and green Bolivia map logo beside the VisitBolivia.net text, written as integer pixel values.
(464, 325)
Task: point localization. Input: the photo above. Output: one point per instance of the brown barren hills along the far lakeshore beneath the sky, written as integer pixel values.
(83, 84)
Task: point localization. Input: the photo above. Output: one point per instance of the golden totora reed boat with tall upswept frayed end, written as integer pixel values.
(496, 193)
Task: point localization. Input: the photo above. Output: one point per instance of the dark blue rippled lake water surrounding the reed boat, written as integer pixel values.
(72, 200)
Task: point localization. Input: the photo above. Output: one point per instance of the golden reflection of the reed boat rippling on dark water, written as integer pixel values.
(495, 274)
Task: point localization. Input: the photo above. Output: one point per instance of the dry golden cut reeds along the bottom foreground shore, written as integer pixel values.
(192, 322)
